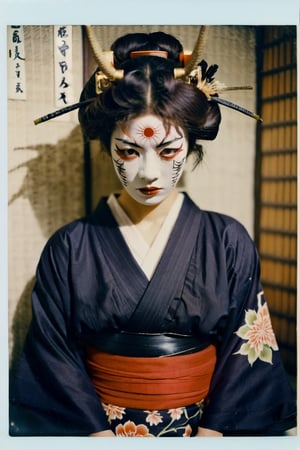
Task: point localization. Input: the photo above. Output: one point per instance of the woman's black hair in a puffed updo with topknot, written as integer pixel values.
(149, 86)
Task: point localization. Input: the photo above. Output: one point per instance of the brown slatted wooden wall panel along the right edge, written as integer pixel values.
(276, 201)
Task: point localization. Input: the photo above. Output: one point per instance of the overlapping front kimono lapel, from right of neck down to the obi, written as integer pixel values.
(168, 279)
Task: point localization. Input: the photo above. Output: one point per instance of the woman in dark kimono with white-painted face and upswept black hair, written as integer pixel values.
(148, 316)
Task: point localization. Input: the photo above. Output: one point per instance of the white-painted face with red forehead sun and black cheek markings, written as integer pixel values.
(148, 160)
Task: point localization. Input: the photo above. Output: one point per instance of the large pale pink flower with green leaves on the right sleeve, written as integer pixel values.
(258, 333)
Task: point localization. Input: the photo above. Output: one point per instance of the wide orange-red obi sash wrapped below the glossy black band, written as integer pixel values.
(152, 382)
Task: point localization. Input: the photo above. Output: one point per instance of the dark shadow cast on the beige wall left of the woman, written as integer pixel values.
(54, 185)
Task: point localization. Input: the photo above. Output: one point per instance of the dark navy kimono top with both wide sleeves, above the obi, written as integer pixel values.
(88, 283)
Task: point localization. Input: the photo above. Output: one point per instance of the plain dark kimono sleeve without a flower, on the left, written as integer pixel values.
(51, 393)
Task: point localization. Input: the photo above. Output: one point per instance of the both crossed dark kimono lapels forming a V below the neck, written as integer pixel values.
(147, 303)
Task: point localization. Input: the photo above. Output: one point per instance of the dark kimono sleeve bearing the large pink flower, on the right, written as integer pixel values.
(250, 392)
